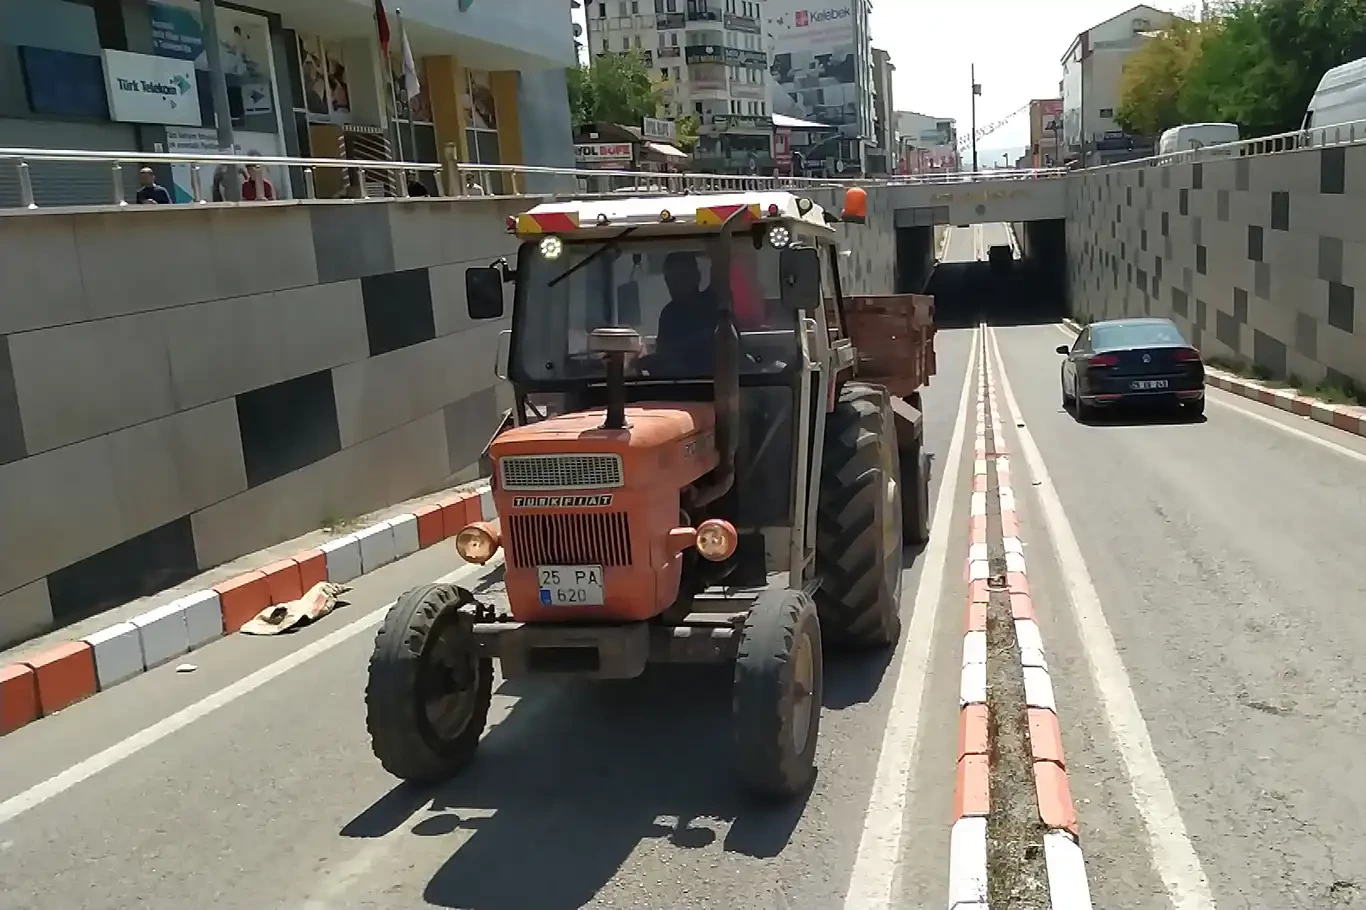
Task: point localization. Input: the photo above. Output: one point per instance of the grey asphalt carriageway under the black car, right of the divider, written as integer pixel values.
(1222, 557)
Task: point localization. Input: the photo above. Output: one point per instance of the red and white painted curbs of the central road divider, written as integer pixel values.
(1069, 889)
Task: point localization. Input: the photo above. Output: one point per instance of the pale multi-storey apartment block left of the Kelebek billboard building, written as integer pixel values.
(710, 62)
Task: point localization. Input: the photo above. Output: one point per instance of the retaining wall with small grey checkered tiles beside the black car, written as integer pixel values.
(1259, 259)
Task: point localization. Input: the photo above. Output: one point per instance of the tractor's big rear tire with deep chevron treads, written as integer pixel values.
(859, 528)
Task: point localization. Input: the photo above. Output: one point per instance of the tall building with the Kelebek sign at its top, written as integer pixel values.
(823, 72)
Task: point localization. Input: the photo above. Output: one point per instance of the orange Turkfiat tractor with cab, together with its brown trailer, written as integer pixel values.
(715, 456)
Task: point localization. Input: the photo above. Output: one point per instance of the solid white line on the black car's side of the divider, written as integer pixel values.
(1174, 855)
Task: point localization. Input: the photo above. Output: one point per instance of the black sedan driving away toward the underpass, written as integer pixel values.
(1121, 361)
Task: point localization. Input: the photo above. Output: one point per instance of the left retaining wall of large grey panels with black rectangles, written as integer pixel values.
(184, 387)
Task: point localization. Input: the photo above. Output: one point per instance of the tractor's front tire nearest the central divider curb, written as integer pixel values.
(777, 698)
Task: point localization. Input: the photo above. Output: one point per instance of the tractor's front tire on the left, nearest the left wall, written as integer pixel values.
(427, 700)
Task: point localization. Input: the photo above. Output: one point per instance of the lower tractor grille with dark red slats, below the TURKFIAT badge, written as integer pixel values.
(569, 539)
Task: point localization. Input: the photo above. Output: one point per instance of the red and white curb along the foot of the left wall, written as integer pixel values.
(72, 672)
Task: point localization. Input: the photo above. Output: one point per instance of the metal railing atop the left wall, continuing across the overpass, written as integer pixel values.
(453, 180)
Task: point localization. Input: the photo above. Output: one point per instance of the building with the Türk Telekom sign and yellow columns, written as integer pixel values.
(303, 80)
